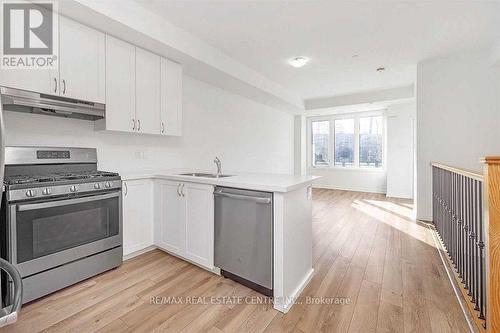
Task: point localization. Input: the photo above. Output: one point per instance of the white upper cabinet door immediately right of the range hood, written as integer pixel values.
(120, 85)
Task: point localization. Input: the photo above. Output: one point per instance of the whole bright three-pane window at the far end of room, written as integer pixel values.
(355, 140)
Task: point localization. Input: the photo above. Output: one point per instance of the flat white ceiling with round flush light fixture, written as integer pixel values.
(395, 34)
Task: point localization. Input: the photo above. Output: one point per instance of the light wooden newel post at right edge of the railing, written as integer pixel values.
(492, 224)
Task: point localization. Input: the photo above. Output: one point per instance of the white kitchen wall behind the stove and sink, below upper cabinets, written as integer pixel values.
(247, 136)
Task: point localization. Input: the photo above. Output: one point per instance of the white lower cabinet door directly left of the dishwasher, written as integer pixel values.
(199, 223)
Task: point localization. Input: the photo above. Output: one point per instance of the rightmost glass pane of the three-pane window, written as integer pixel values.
(370, 142)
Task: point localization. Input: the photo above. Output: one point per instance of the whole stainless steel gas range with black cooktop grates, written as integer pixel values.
(61, 218)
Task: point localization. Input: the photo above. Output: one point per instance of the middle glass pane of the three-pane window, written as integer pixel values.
(344, 142)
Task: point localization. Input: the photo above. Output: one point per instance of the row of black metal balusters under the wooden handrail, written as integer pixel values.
(458, 217)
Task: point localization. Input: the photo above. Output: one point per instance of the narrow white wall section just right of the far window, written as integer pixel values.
(400, 150)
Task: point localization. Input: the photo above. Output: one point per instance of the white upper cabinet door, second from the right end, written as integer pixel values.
(147, 92)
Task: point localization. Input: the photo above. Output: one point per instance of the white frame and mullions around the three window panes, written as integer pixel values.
(331, 144)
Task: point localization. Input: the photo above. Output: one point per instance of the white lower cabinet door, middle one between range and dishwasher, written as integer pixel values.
(172, 218)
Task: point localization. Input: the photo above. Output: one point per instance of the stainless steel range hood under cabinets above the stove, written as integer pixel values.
(31, 102)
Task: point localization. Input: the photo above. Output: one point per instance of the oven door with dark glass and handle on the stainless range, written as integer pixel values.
(48, 234)
